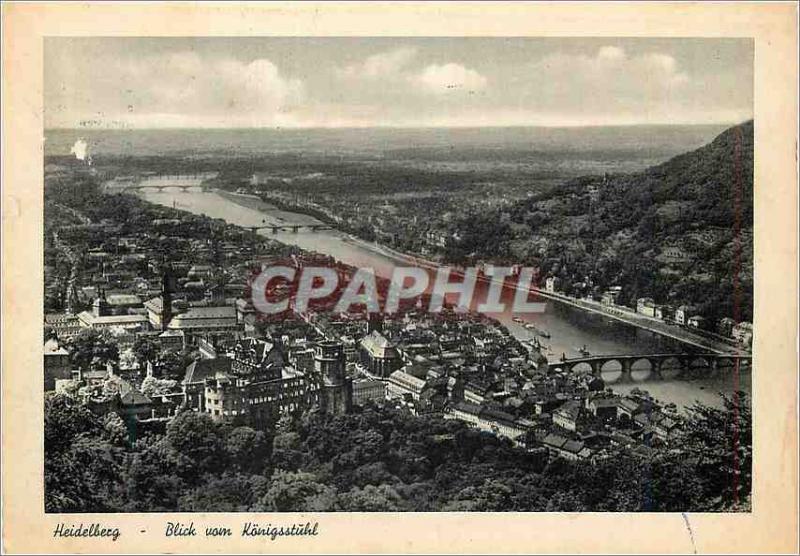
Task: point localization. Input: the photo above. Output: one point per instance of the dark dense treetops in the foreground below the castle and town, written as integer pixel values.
(378, 459)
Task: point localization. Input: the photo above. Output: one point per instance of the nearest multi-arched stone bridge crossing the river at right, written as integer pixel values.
(656, 365)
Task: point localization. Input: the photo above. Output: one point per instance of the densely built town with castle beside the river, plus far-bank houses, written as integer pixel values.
(157, 320)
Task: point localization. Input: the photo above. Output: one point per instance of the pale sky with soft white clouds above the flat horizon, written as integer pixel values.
(355, 82)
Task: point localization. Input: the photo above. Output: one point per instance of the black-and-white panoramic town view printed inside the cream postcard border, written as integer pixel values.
(369, 274)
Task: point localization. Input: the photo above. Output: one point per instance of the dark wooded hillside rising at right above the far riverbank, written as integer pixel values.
(680, 232)
